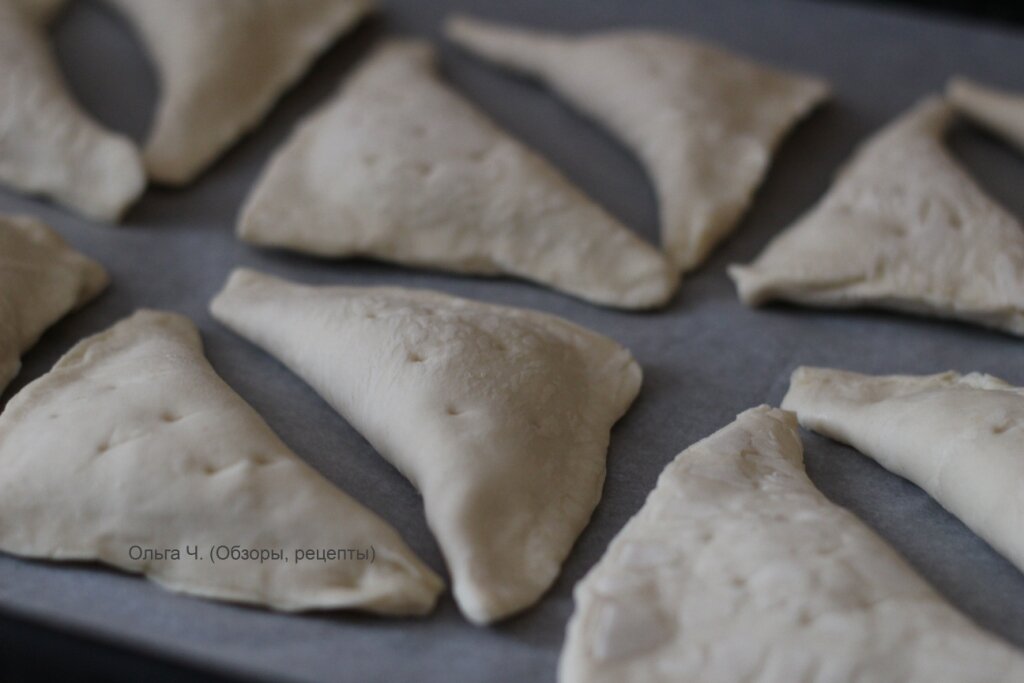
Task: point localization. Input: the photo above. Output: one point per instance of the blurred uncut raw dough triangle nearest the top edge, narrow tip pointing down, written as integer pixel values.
(705, 122)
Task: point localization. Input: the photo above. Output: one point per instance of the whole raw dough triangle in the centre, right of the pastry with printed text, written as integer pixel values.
(500, 417)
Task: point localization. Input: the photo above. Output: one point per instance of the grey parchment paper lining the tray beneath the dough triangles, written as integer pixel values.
(706, 358)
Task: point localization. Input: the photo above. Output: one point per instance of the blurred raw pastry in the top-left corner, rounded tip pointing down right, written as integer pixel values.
(49, 146)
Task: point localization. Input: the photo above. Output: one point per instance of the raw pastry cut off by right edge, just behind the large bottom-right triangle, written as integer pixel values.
(959, 438)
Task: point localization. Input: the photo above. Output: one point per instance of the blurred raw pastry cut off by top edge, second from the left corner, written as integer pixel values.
(223, 65)
